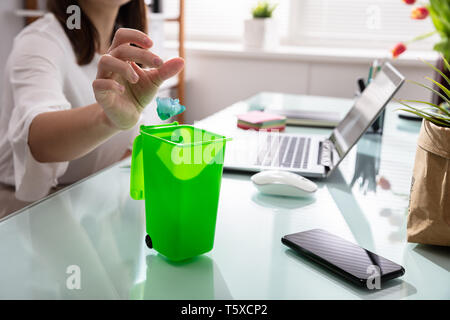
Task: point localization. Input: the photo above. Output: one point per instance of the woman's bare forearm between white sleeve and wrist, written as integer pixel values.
(69, 134)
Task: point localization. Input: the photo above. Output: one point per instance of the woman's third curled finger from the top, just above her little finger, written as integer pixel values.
(109, 65)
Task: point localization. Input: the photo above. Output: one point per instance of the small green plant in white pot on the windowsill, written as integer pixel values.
(260, 32)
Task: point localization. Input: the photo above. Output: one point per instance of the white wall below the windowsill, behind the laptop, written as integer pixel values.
(215, 81)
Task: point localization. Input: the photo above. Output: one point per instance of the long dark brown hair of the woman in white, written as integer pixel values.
(85, 41)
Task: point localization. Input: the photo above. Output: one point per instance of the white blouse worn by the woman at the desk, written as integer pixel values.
(42, 75)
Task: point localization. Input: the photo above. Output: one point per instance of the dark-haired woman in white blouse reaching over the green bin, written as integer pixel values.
(73, 98)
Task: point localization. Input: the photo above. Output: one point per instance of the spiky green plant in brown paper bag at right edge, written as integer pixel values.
(429, 207)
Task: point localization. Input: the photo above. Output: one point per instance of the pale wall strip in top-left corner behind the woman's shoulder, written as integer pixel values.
(10, 25)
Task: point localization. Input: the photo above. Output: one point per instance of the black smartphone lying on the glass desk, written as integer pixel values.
(343, 257)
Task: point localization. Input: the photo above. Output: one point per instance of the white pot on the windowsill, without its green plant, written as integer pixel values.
(260, 33)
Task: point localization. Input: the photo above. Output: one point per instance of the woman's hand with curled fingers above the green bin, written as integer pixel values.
(122, 88)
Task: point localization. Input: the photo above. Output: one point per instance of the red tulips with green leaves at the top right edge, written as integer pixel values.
(439, 12)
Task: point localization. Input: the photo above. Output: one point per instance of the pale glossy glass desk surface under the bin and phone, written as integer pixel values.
(96, 226)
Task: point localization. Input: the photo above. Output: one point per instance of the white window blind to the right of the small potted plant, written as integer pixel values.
(364, 21)
